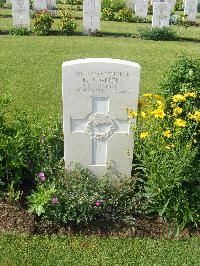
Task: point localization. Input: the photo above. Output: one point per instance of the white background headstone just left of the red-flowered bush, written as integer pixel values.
(20, 13)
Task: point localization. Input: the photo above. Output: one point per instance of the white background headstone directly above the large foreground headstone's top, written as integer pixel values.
(91, 16)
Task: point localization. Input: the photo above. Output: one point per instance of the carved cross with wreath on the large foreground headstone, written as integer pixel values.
(100, 126)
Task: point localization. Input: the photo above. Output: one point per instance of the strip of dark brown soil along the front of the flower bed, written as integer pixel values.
(15, 218)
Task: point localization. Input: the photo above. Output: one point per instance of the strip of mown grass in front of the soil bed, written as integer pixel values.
(57, 250)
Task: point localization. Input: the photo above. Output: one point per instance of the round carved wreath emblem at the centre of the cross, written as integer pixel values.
(100, 121)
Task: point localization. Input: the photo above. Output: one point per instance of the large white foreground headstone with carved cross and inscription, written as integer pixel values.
(96, 93)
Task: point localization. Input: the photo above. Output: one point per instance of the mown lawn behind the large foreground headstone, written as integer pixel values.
(31, 66)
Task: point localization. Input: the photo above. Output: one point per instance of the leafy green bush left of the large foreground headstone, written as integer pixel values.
(25, 149)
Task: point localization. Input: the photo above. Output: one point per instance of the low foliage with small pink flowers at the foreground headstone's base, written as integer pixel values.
(81, 198)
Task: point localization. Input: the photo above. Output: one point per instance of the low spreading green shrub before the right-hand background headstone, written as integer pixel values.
(158, 34)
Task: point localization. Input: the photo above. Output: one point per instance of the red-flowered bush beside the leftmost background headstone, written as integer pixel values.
(42, 23)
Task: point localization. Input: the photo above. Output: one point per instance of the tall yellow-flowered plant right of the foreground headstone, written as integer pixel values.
(166, 151)
